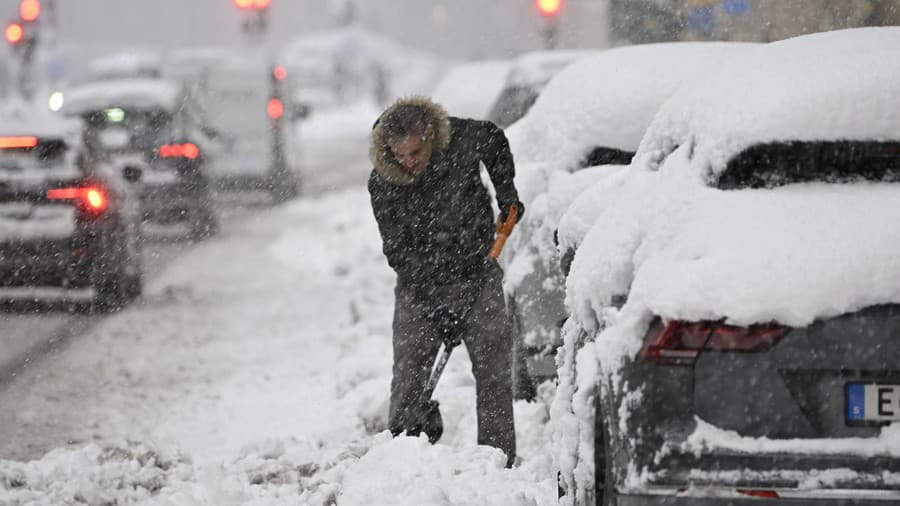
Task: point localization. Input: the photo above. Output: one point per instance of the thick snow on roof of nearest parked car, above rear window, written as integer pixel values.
(825, 86)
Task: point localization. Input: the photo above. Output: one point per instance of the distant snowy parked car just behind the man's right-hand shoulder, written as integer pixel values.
(529, 74)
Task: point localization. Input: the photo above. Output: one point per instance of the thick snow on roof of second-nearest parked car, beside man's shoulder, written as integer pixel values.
(609, 98)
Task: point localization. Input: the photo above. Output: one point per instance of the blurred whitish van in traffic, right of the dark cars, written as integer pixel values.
(244, 106)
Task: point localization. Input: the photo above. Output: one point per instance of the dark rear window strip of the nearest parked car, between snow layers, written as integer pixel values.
(777, 164)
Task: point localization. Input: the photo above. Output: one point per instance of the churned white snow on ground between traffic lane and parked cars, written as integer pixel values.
(255, 370)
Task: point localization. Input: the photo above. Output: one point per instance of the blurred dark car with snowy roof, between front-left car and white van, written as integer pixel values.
(154, 121)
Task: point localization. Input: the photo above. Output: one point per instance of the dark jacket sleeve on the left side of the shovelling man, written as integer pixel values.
(396, 245)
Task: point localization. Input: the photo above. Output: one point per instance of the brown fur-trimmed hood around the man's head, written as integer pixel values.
(383, 160)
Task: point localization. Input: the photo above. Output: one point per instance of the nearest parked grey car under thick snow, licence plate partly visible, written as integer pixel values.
(755, 241)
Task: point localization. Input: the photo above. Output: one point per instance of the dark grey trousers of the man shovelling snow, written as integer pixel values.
(488, 337)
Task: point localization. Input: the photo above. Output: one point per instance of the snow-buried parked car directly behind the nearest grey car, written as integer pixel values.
(592, 114)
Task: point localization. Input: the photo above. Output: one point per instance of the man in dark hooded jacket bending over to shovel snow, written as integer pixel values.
(437, 227)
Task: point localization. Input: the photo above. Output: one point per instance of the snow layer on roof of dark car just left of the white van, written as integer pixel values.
(133, 93)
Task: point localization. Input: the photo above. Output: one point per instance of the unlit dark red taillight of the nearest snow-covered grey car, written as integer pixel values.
(679, 342)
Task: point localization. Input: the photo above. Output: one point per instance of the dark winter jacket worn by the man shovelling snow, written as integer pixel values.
(438, 228)
